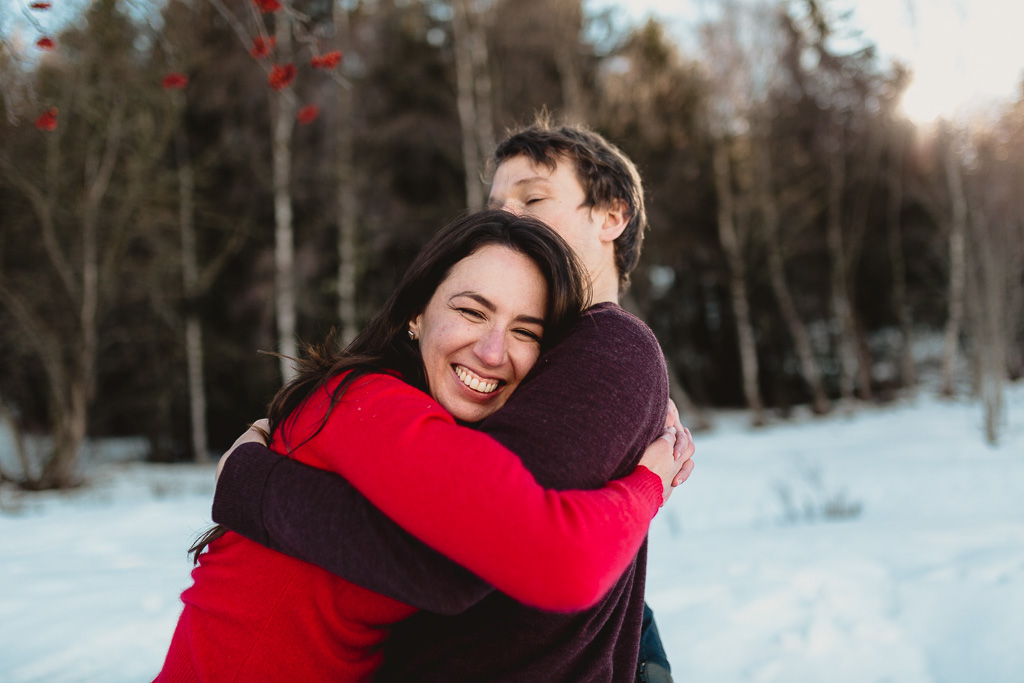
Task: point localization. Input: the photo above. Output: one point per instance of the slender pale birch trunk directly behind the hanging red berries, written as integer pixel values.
(283, 118)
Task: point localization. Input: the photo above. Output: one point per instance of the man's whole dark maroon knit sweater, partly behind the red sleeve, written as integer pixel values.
(582, 417)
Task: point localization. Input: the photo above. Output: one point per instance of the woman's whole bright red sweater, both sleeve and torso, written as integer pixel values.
(253, 614)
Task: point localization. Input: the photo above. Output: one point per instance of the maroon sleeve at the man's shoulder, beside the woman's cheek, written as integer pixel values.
(591, 406)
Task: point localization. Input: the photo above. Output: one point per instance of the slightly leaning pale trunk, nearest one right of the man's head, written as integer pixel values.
(738, 281)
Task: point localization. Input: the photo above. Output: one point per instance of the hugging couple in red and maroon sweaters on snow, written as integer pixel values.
(467, 487)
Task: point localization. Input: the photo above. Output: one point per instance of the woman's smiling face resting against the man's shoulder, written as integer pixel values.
(482, 330)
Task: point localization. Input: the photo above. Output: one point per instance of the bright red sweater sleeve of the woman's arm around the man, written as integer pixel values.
(472, 499)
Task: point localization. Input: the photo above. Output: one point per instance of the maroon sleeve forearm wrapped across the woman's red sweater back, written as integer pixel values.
(318, 517)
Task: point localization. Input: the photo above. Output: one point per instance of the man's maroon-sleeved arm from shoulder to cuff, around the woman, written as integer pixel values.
(582, 417)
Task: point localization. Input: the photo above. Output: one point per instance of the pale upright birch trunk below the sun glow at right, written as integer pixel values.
(958, 271)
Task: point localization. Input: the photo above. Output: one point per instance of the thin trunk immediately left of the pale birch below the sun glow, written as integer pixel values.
(909, 375)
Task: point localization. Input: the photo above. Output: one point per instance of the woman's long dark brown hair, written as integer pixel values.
(385, 345)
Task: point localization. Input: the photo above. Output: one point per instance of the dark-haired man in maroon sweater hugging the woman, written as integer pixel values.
(583, 417)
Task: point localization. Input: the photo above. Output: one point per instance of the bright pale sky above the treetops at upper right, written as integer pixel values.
(964, 54)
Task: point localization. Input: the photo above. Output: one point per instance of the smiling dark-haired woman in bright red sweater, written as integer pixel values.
(466, 324)
